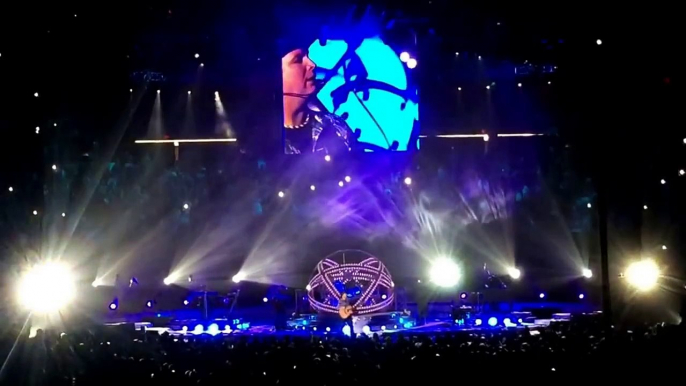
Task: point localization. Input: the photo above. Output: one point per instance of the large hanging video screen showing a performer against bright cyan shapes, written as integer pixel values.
(349, 94)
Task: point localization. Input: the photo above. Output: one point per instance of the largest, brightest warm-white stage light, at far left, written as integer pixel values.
(46, 288)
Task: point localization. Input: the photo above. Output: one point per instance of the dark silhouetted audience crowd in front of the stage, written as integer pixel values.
(574, 351)
